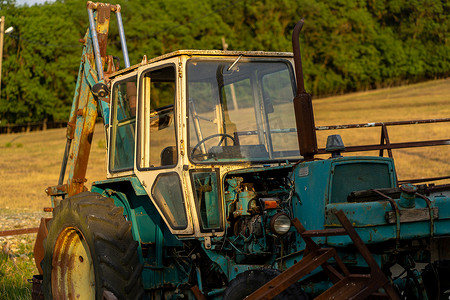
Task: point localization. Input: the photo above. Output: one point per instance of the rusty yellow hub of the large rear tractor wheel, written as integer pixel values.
(73, 274)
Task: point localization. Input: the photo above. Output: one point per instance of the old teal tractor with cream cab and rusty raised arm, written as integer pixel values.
(214, 189)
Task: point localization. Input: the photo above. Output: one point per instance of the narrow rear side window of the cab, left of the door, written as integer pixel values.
(123, 124)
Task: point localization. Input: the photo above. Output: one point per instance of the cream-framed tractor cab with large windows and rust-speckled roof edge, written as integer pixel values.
(180, 122)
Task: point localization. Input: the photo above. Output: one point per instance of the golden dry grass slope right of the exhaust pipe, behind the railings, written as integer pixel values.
(429, 100)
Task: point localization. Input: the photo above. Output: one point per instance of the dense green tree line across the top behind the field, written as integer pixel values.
(347, 45)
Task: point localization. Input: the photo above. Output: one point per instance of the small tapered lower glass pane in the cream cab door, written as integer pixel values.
(167, 193)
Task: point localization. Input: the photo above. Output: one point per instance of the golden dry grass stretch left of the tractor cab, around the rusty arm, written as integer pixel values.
(30, 162)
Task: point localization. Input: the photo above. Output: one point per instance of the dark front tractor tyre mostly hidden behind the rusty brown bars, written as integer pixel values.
(249, 281)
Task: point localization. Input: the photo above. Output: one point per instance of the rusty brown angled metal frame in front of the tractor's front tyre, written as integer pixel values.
(346, 285)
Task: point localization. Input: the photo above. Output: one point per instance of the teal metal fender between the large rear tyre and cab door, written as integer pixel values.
(149, 230)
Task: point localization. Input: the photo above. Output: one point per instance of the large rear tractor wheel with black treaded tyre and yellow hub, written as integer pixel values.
(90, 252)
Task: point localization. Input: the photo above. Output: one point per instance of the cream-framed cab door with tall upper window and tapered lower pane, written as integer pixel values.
(158, 163)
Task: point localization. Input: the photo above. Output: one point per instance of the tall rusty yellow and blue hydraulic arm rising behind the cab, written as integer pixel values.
(91, 93)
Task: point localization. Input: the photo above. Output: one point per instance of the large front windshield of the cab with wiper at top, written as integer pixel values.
(241, 110)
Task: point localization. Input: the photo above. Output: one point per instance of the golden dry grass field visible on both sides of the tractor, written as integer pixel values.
(29, 163)
